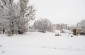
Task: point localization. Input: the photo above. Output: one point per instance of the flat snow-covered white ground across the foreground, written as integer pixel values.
(35, 43)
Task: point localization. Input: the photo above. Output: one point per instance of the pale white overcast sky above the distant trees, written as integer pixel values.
(60, 11)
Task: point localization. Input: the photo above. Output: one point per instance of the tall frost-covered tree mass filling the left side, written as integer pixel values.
(15, 16)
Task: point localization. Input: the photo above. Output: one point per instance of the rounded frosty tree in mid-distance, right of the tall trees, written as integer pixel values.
(43, 25)
